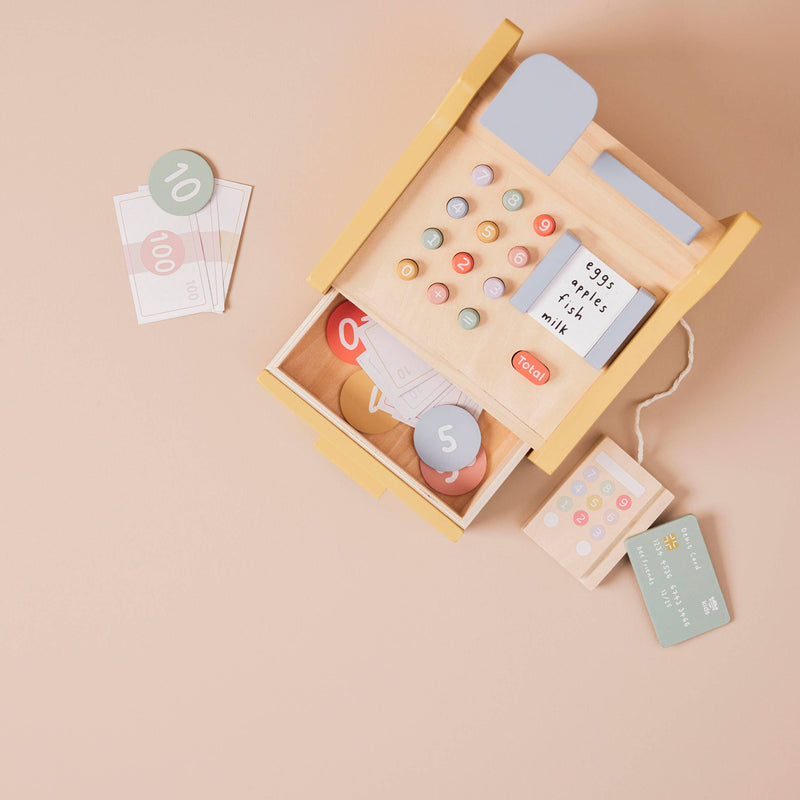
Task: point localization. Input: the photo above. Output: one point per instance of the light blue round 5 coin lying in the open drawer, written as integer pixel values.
(447, 438)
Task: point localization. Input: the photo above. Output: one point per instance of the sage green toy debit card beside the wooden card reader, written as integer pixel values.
(677, 579)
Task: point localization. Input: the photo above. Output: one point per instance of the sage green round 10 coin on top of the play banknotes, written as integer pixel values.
(181, 182)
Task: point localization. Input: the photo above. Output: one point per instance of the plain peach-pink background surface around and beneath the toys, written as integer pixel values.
(194, 603)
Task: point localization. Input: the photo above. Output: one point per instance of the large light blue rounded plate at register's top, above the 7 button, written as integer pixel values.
(542, 110)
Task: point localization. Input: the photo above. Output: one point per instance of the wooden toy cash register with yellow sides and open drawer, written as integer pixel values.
(525, 258)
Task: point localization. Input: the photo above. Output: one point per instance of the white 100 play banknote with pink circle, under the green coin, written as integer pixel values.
(165, 261)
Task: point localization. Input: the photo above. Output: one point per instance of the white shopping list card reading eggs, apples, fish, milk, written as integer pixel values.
(582, 301)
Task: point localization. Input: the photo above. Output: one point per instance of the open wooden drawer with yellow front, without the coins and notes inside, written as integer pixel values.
(308, 377)
